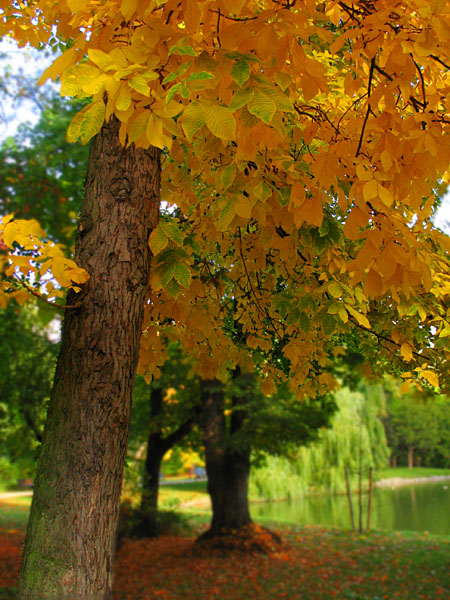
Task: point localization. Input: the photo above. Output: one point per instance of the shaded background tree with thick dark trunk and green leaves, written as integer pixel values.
(240, 424)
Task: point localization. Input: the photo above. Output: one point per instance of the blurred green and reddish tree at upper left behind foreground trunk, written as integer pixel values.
(41, 174)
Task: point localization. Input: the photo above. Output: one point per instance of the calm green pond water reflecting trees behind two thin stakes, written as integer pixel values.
(421, 507)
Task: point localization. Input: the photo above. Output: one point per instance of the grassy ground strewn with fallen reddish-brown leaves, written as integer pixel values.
(313, 563)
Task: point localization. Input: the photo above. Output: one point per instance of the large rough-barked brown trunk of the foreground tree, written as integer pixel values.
(69, 546)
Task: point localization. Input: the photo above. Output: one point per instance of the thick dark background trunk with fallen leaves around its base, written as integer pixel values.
(227, 467)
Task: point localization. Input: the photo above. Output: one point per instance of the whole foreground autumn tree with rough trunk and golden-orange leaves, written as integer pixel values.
(303, 146)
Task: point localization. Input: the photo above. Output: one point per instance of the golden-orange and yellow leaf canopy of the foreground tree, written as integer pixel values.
(304, 145)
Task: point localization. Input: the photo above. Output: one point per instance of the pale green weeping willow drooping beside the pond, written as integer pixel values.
(356, 441)
